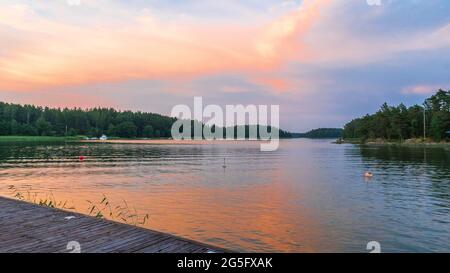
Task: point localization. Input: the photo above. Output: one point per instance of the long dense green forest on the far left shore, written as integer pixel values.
(30, 120)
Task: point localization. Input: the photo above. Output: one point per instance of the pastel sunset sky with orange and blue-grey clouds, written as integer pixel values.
(324, 62)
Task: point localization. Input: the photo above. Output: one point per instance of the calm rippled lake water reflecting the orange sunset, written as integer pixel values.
(309, 196)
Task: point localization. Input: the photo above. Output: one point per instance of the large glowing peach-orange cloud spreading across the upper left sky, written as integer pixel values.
(43, 53)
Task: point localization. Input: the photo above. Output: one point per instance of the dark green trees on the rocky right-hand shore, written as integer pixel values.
(400, 122)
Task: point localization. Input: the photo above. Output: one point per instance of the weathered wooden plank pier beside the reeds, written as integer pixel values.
(26, 227)
